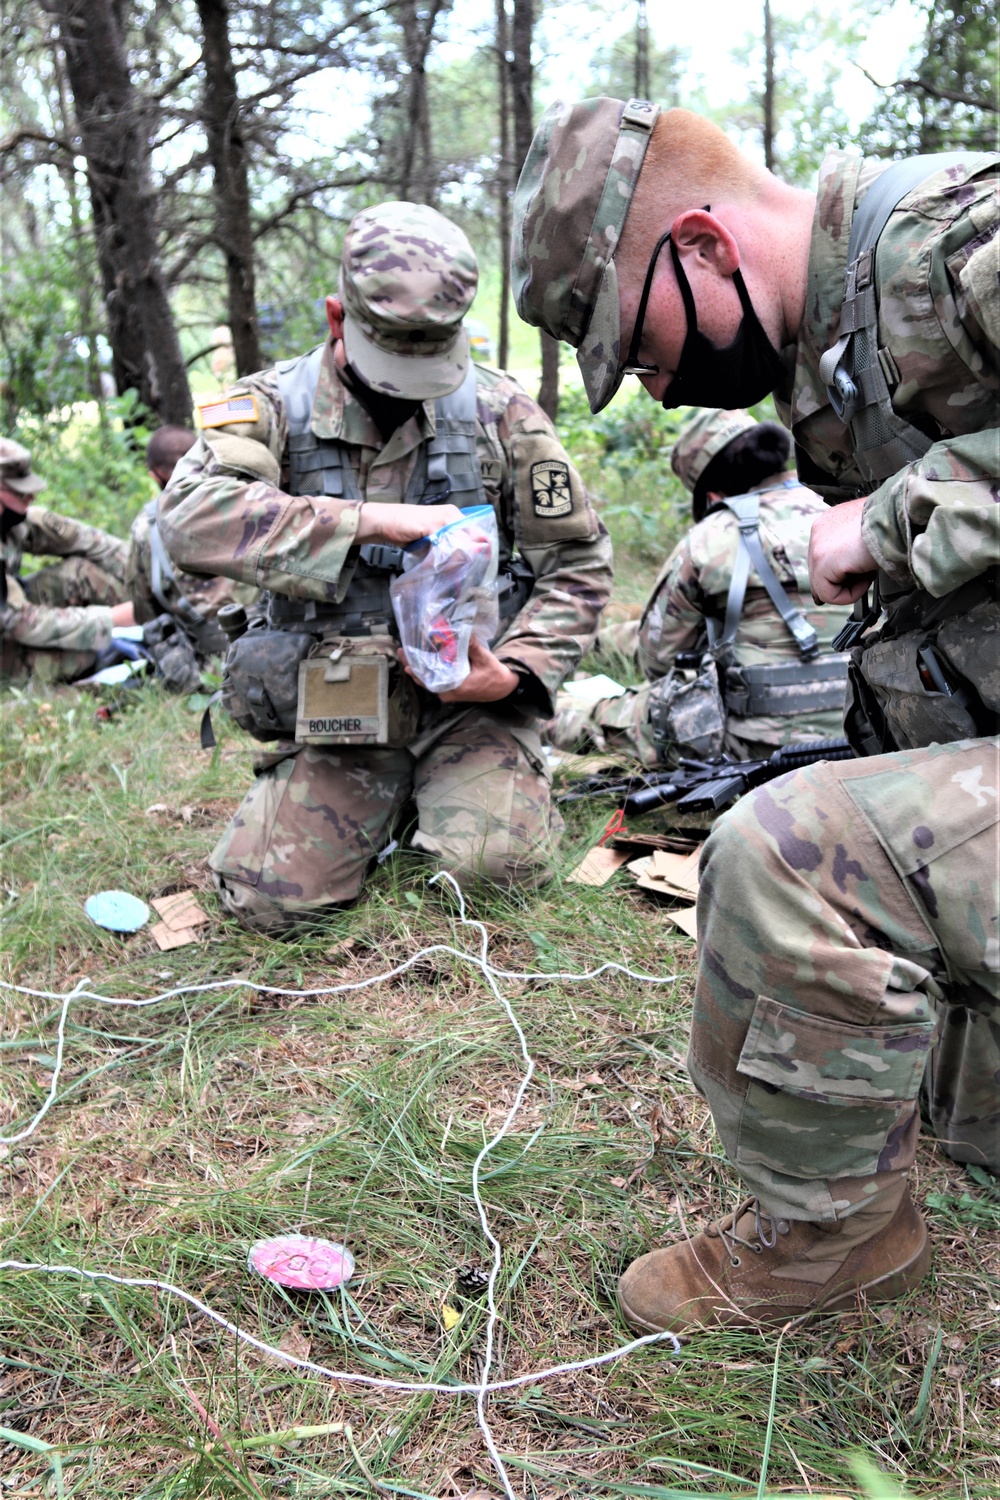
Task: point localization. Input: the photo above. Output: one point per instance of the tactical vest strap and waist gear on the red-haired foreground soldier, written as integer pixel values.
(930, 676)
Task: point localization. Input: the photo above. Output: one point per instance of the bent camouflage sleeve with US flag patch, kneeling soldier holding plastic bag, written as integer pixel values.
(224, 511)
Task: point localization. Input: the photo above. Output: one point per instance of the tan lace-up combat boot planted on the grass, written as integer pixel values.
(752, 1268)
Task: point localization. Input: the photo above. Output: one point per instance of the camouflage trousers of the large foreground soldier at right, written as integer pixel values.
(848, 971)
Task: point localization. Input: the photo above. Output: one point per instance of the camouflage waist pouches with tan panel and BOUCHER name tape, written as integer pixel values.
(293, 685)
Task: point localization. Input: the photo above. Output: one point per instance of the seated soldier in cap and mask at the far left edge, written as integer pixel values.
(56, 623)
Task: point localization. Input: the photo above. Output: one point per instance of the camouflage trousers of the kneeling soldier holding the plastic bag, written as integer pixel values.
(310, 829)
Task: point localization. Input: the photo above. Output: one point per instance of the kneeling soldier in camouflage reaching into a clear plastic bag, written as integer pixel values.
(308, 479)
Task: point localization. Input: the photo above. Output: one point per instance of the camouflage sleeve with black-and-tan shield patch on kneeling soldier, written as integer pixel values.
(549, 512)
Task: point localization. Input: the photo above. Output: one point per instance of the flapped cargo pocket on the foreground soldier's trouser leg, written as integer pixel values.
(824, 1096)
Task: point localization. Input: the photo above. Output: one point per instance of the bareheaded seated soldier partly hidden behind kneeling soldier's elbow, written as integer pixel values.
(178, 610)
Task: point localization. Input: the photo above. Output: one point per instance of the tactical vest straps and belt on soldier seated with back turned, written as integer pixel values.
(810, 686)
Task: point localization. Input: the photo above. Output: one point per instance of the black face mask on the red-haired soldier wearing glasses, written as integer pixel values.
(738, 376)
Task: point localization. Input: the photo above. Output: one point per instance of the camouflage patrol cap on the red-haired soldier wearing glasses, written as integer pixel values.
(570, 208)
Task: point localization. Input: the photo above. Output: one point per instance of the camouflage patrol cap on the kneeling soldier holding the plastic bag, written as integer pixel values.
(409, 278)
